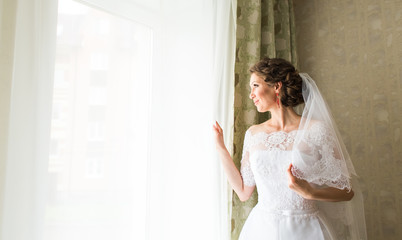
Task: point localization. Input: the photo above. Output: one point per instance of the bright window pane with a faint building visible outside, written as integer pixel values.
(101, 171)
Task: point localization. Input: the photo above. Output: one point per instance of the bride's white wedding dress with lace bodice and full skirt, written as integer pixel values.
(280, 213)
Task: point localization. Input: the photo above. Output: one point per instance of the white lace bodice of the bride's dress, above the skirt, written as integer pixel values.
(266, 157)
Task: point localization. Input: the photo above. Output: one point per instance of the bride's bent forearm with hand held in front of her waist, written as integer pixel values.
(327, 194)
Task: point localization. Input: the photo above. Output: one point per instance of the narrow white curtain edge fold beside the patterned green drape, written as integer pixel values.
(223, 70)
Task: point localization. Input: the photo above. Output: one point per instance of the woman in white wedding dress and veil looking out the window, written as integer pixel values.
(299, 163)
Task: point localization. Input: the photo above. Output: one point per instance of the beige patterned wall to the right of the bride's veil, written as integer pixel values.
(353, 49)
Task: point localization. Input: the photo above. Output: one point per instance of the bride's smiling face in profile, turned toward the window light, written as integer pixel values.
(263, 96)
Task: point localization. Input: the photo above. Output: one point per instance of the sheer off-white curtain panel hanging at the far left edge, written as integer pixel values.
(32, 57)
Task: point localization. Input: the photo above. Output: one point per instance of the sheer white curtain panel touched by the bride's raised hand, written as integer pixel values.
(189, 177)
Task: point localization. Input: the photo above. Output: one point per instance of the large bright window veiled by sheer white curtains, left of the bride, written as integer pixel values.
(141, 157)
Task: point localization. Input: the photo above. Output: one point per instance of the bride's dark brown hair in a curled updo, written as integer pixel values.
(274, 70)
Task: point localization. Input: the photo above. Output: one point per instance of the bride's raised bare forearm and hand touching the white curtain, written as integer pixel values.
(234, 177)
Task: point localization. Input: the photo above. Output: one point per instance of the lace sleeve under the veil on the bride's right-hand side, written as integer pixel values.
(321, 162)
